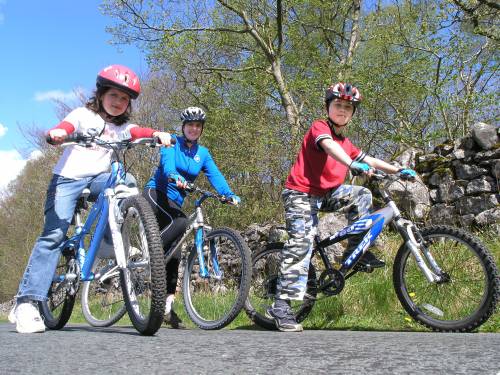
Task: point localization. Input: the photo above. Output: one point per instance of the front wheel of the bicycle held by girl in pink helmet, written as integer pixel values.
(143, 281)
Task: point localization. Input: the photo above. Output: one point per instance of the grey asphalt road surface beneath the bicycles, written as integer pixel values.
(80, 349)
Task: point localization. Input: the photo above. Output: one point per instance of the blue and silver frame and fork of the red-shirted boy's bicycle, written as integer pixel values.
(372, 225)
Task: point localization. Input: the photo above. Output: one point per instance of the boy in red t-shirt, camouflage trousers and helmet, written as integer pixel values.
(316, 182)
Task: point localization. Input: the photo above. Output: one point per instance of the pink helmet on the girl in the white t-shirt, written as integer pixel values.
(119, 77)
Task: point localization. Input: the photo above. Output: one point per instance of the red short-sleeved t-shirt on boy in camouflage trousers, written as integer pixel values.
(314, 171)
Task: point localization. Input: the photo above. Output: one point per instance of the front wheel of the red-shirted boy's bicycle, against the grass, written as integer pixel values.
(460, 304)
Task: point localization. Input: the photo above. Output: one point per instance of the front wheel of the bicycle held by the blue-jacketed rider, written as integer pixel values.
(212, 301)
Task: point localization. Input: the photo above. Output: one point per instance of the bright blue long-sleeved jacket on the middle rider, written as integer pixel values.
(188, 162)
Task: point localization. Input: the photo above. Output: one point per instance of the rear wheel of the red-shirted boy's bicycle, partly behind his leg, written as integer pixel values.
(265, 270)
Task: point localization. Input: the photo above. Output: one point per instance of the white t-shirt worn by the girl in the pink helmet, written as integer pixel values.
(78, 162)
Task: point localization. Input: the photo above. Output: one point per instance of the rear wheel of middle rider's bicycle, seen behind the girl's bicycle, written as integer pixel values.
(102, 298)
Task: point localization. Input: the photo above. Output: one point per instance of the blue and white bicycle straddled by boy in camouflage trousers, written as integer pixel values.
(444, 277)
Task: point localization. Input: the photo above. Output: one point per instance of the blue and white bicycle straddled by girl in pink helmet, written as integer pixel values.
(137, 253)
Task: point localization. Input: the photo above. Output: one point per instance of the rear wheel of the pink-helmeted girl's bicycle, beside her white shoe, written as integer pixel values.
(57, 309)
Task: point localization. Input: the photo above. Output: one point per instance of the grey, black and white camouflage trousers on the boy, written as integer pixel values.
(301, 215)
